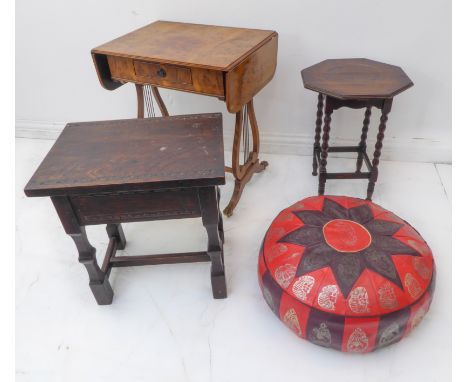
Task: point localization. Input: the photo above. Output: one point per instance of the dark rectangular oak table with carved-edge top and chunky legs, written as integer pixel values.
(134, 170)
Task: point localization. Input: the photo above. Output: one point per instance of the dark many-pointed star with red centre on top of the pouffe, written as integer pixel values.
(348, 241)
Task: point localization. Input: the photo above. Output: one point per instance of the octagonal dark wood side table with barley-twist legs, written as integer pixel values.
(356, 83)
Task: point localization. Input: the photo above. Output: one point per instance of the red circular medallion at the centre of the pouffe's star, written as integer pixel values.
(346, 235)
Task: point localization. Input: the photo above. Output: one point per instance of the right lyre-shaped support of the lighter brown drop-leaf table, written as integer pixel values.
(244, 172)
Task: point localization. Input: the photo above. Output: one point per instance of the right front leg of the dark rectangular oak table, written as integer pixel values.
(211, 221)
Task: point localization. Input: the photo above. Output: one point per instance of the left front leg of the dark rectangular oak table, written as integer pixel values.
(98, 280)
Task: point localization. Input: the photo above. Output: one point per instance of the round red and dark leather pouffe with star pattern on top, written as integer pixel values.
(345, 273)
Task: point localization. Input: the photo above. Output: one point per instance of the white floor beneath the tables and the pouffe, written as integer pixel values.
(164, 325)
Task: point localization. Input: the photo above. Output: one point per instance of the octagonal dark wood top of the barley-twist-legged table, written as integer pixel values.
(356, 78)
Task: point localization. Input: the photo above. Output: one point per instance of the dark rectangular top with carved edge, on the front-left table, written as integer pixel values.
(135, 154)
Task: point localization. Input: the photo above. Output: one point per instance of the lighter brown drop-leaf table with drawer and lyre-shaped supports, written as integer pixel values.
(232, 64)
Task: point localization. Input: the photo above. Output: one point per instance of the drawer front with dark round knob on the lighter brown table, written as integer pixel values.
(197, 80)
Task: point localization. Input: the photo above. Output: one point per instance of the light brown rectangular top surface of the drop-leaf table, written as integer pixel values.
(207, 46)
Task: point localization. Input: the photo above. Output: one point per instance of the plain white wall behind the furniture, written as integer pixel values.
(56, 81)
